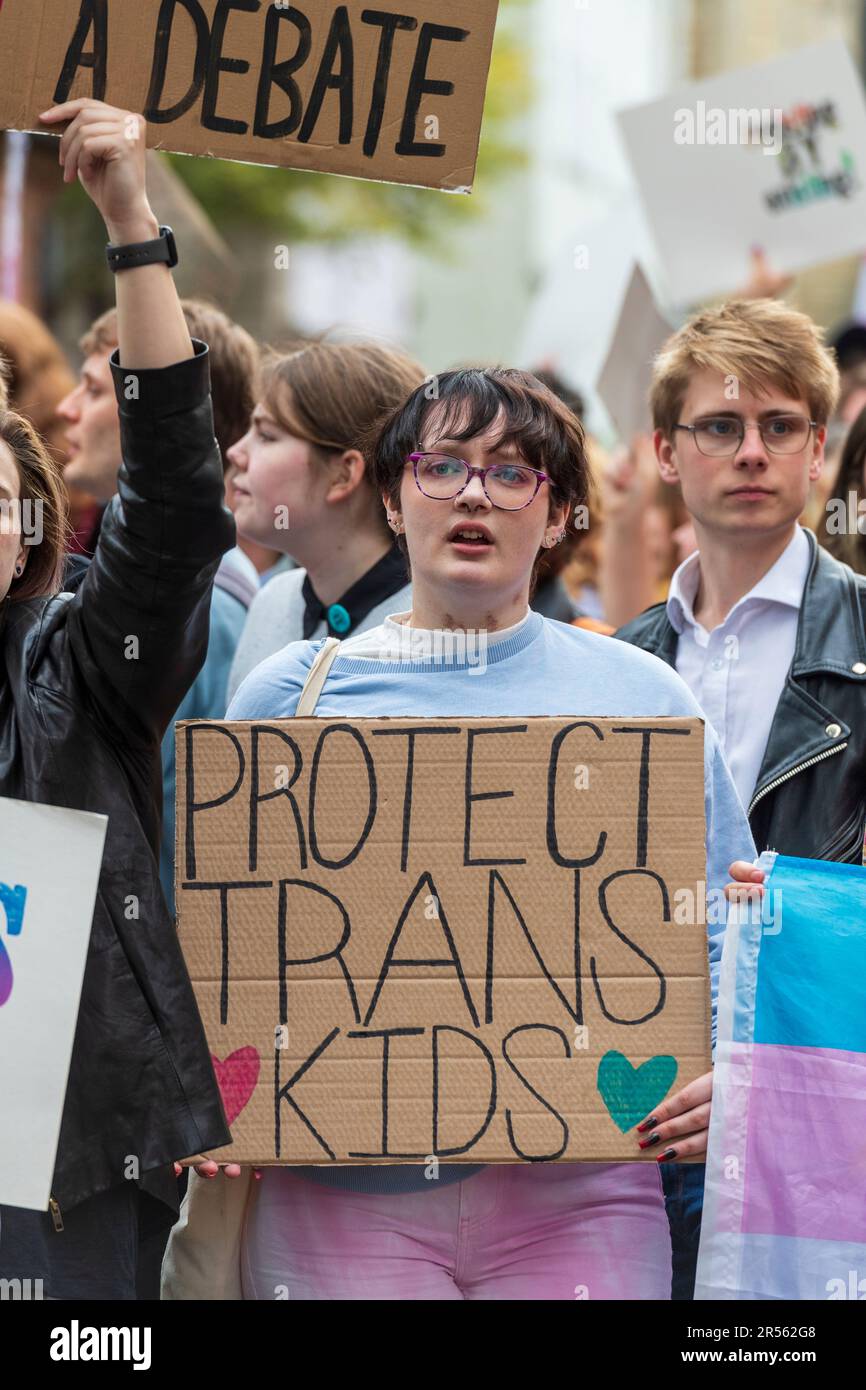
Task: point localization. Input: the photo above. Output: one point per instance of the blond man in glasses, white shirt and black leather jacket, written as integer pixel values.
(765, 626)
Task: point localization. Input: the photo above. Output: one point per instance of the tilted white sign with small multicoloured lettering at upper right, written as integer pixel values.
(772, 155)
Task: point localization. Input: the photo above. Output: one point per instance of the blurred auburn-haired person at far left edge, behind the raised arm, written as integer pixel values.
(40, 380)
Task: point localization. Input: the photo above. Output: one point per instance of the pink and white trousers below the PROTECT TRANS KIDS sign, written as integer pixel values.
(537, 1231)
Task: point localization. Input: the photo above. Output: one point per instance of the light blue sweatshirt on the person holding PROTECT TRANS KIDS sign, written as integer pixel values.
(540, 668)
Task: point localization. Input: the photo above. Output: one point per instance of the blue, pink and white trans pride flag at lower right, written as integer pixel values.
(785, 1213)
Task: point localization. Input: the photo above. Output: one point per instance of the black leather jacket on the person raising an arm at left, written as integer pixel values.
(81, 722)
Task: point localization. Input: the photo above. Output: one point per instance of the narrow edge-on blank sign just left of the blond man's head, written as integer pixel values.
(623, 383)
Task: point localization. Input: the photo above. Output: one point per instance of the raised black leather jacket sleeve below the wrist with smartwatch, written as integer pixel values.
(138, 625)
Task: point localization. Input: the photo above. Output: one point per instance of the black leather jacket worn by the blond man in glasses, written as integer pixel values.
(811, 793)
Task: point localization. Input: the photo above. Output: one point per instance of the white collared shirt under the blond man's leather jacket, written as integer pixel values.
(739, 671)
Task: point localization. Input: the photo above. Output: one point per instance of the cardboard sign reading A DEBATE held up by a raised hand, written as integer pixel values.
(393, 95)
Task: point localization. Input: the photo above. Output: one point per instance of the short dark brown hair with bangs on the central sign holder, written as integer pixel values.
(464, 404)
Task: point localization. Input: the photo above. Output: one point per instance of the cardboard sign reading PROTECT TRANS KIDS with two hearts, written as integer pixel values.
(469, 940)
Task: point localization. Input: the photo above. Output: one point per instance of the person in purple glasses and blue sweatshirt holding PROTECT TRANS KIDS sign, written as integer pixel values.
(477, 483)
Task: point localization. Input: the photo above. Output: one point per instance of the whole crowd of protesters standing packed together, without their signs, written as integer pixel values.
(297, 533)
